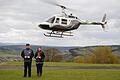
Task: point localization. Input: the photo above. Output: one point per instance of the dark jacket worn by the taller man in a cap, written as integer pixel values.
(27, 54)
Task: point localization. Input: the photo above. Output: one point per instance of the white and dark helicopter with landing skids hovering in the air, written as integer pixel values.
(62, 24)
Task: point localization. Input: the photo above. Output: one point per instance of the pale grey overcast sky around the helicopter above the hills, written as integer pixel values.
(19, 20)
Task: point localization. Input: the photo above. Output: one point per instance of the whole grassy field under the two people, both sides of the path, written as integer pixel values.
(61, 72)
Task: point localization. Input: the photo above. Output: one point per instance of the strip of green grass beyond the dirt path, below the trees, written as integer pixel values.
(63, 64)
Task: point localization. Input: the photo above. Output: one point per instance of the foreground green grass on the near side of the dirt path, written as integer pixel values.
(62, 74)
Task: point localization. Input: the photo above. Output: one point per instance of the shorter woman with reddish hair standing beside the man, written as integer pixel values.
(39, 56)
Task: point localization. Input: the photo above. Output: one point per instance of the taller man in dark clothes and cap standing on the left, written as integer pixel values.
(27, 54)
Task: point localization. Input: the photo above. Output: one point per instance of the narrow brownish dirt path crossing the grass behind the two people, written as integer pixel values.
(63, 67)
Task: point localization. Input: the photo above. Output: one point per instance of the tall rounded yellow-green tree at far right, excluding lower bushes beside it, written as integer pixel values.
(104, 55)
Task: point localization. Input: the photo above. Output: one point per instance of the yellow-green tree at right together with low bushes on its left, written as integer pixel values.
(101, 54)
